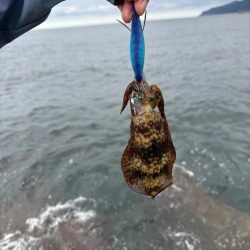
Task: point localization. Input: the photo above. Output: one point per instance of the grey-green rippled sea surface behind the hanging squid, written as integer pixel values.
(62, 137)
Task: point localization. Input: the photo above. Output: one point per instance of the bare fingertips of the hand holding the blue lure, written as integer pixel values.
(126, 8)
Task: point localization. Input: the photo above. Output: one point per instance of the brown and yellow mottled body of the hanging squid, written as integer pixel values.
(147, 161)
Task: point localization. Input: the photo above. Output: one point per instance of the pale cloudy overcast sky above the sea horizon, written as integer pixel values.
(85, 12)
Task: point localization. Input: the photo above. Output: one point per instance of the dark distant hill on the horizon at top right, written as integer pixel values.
(234, 7)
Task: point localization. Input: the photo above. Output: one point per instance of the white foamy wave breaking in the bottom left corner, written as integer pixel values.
(69, 225)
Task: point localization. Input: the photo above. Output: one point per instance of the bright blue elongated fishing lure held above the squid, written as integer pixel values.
(137, 46)
